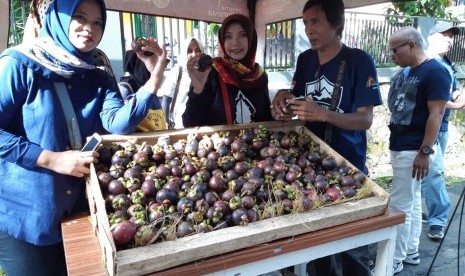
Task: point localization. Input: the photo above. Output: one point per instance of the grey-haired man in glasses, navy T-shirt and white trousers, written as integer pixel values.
(417, 99)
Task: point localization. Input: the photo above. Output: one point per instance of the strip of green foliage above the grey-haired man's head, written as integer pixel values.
(428, 8)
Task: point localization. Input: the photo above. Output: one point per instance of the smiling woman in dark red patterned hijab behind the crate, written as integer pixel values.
(235, 89)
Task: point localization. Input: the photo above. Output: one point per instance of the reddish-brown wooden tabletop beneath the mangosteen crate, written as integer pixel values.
(93, 266)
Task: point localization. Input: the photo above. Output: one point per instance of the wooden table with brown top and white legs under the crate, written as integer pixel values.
(83, 254)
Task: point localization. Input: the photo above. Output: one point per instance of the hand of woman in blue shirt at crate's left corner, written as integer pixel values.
(72, 162)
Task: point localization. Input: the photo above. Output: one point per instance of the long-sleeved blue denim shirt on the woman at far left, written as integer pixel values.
(33, 200)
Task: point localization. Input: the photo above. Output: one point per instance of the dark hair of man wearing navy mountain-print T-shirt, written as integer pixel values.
(334, 11)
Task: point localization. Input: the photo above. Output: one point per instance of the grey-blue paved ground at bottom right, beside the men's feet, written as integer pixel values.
(446, 261)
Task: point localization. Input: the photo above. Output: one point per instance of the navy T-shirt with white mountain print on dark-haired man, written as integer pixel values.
(359, 88)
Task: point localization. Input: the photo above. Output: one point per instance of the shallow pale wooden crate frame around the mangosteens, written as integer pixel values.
(160, 256)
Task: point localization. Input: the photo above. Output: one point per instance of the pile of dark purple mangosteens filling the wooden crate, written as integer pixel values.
(203, 183)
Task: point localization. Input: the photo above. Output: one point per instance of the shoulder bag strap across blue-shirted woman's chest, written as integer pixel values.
(71, 121)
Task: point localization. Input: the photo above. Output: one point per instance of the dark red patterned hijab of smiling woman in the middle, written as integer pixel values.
(243, 73)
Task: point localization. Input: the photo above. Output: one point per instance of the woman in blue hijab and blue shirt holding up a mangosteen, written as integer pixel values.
(41, 172)
